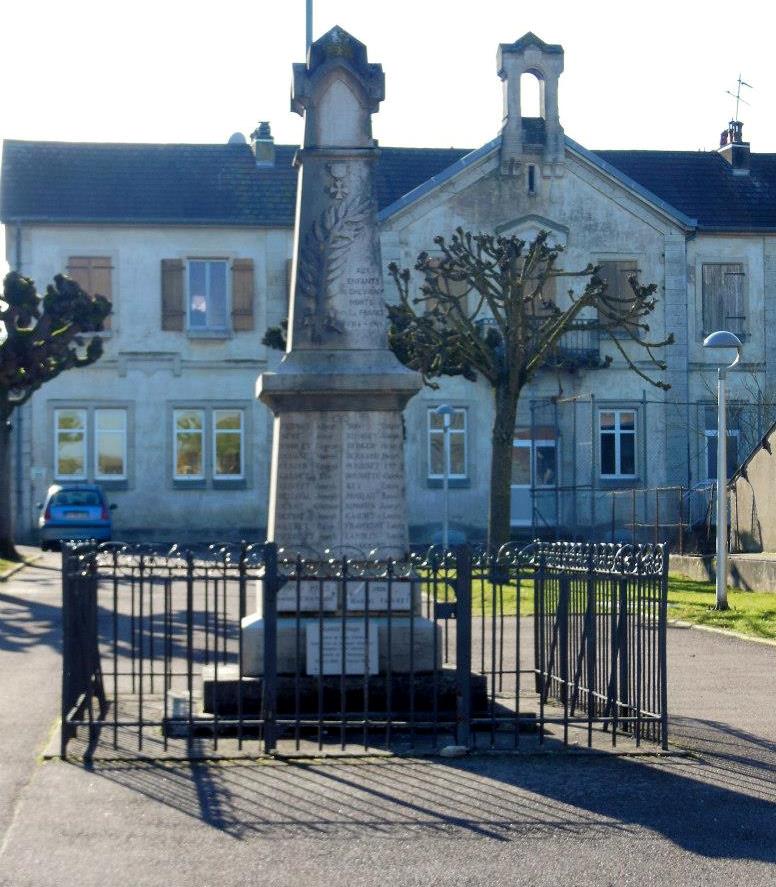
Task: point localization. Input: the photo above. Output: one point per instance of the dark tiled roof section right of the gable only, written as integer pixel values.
(702, 185)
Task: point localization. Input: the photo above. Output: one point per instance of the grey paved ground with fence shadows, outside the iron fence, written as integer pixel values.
(709, 819)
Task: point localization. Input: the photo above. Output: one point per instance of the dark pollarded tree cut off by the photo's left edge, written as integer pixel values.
(43, 337)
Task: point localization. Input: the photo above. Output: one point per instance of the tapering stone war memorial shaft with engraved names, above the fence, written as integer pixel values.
(337, 478)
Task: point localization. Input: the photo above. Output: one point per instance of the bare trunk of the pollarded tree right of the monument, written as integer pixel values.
(499, 527)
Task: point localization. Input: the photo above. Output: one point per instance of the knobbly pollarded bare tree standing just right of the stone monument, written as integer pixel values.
(491, 307)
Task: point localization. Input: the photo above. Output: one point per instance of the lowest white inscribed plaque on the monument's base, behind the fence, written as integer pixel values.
(357, 652)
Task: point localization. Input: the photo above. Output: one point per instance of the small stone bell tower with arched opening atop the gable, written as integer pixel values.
(523, 136)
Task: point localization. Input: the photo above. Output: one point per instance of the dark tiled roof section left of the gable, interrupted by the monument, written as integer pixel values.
(176, 184)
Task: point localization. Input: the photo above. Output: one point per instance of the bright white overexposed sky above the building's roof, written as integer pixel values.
(636, 75)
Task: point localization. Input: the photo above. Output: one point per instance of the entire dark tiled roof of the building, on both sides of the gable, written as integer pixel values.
(222, 185)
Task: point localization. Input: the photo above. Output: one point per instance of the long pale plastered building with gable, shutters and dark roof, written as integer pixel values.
(192, 244)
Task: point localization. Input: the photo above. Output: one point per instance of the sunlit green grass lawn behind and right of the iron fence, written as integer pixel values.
(751, 612)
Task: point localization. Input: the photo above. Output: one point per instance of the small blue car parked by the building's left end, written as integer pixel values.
(74, 511)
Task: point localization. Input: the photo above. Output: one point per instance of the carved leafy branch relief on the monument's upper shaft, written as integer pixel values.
(322, 259)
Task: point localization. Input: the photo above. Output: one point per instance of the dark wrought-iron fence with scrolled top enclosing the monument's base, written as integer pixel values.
(239, 649)
